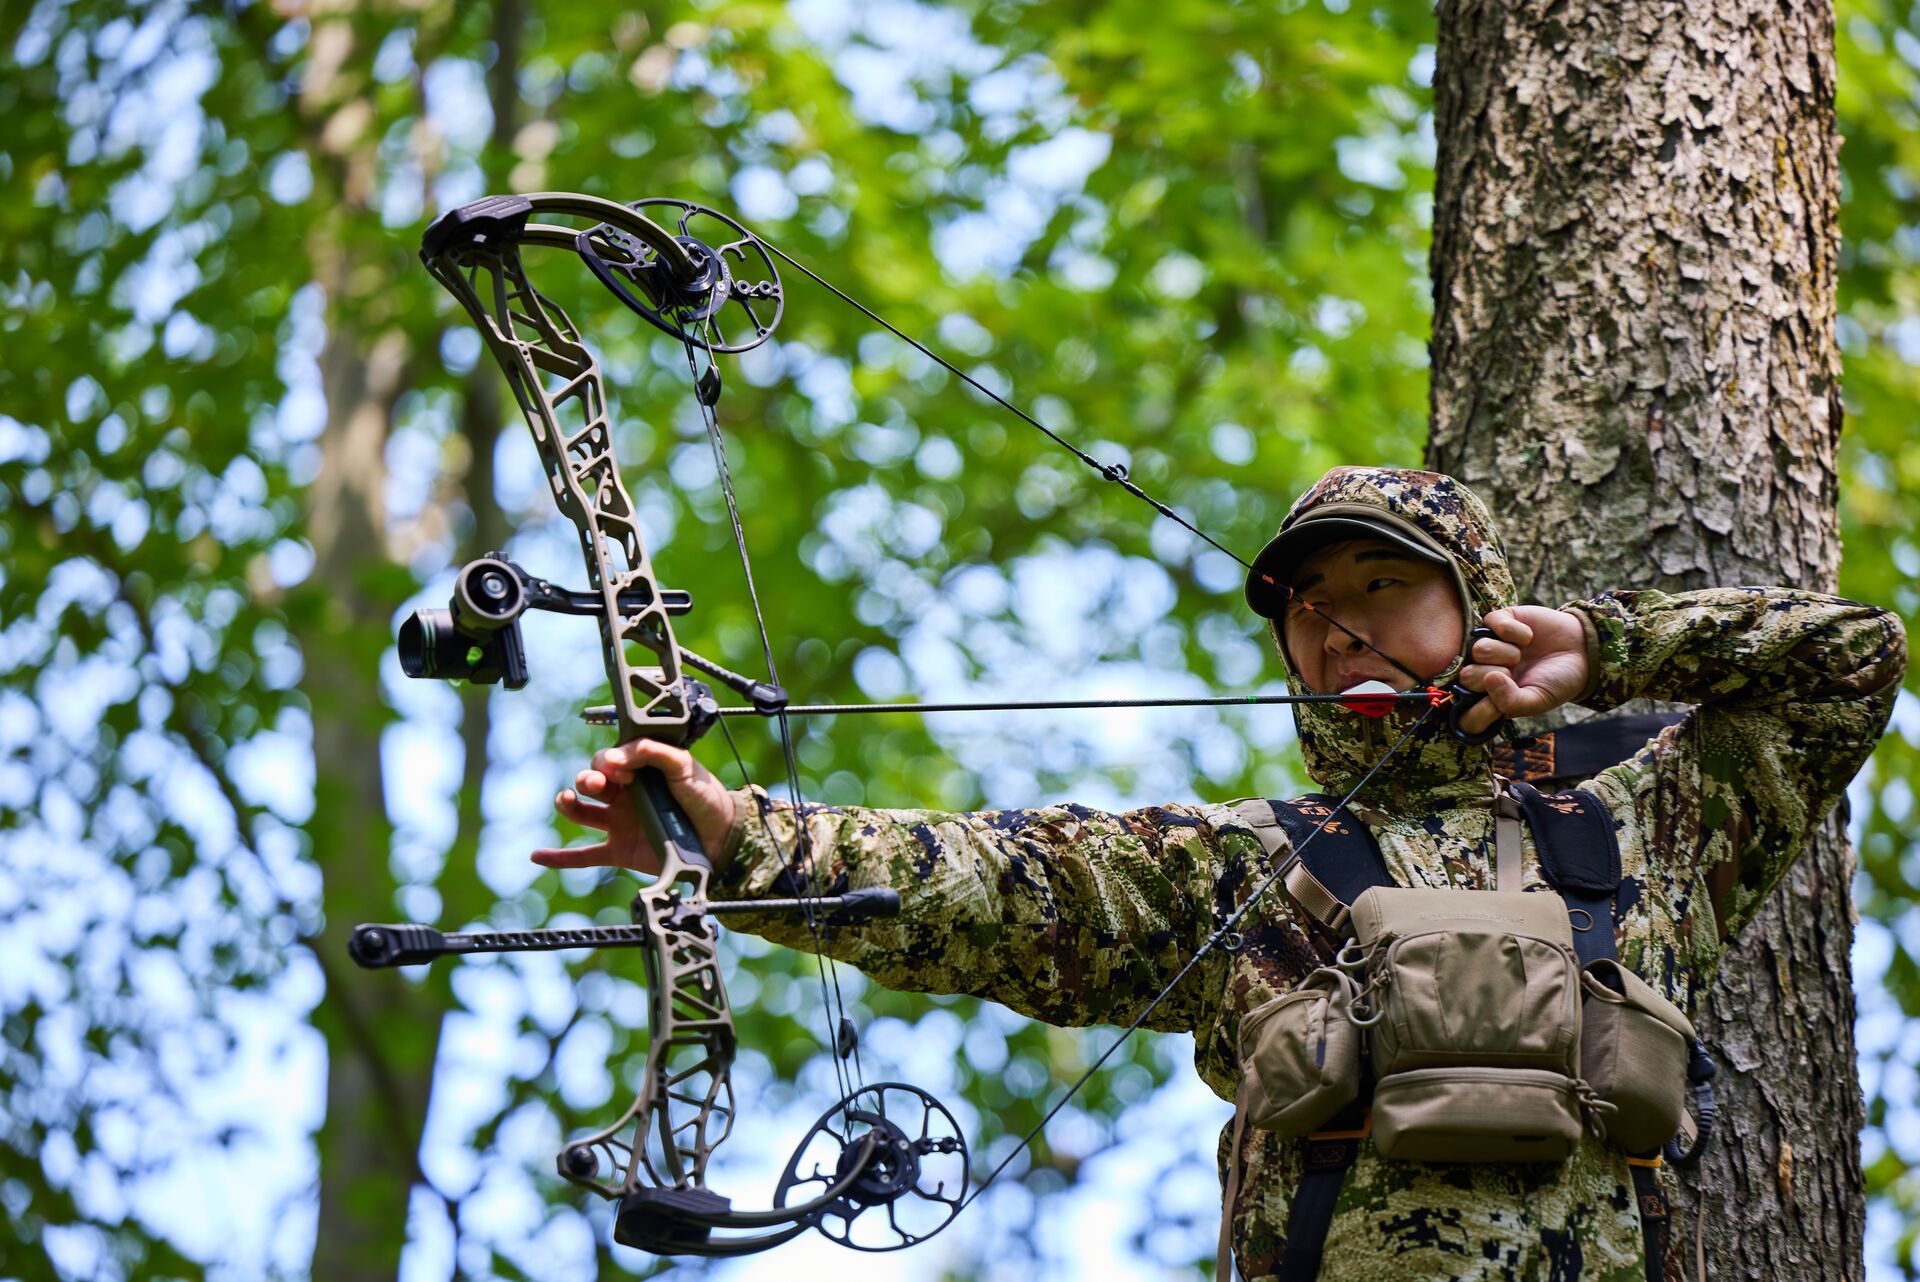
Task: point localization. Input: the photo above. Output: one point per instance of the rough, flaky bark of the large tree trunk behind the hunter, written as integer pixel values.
(1635, 364)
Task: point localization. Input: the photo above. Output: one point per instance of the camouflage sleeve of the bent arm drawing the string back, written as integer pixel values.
(1792, 690)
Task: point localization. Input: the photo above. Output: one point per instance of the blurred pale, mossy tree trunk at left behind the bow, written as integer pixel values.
(381, 1035)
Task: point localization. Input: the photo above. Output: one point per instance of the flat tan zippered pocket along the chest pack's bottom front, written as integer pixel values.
(1476, 1116)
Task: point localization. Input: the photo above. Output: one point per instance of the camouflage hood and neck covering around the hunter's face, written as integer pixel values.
(1341, 746)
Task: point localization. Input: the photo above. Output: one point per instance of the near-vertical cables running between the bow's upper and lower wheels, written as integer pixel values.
(804, 857)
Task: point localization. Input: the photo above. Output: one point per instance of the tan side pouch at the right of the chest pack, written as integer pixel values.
(1633, 1055)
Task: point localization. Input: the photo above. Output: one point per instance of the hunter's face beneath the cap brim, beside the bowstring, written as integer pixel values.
(1403, 605)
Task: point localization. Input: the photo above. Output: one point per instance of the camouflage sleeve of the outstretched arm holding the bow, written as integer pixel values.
(1065, 914)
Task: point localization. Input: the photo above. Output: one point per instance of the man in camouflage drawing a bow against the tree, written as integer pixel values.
(1082, 918)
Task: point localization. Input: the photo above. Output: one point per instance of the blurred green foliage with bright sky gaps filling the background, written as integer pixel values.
(1188, 235)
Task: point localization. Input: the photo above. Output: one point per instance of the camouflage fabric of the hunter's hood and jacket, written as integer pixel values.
(1080, 918)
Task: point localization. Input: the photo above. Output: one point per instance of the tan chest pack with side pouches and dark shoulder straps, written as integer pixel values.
(1462, 1026)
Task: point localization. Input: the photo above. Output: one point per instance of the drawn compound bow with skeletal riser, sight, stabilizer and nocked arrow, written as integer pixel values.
(886, 1166)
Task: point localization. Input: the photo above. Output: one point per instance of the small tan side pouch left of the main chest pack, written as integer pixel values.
(1301, 1056)
